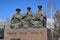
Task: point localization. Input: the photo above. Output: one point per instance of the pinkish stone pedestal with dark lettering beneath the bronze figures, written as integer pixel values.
(28, 34)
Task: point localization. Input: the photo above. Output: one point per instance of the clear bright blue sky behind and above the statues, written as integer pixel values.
(7, 7)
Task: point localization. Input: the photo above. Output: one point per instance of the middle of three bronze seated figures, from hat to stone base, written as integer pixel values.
(29, 16)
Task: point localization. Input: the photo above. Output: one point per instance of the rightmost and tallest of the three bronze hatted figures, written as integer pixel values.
(41, 17)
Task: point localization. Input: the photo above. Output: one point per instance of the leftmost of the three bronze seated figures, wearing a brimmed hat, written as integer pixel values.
(16, 20)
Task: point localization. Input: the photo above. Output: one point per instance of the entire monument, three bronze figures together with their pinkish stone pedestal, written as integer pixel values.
(28, 26)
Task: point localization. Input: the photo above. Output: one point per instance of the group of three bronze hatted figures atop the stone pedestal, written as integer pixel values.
(28, 20)
